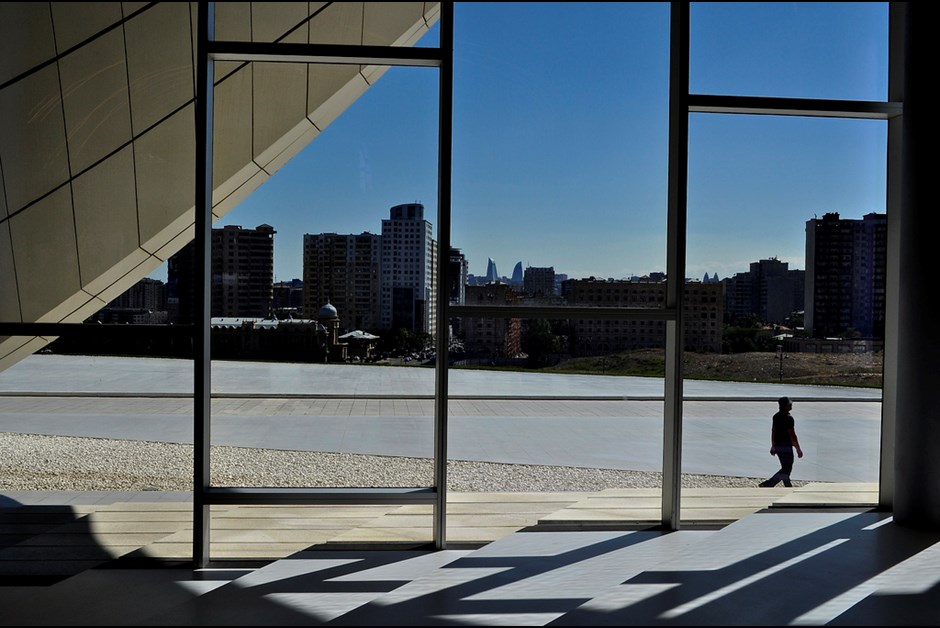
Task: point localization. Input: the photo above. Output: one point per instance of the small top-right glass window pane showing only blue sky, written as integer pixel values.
(836, 50)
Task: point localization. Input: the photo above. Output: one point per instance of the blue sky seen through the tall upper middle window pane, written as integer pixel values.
(560, 136)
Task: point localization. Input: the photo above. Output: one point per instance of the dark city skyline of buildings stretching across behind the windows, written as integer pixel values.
(343, 276)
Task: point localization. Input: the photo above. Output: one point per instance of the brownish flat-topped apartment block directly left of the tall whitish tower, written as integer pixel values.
(344, 270)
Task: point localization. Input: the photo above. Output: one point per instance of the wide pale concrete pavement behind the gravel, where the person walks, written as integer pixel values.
(529, 418)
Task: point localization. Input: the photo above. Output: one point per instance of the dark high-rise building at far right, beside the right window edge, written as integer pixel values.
(846, 267)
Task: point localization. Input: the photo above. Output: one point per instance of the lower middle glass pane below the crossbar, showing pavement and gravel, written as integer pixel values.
(580, 423)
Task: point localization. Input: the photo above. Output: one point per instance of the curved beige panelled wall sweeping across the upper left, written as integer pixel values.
(97, 134)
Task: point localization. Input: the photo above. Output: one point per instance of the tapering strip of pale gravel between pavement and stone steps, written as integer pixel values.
(52, 463)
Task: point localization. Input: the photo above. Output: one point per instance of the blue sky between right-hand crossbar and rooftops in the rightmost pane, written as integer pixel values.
(754, 182)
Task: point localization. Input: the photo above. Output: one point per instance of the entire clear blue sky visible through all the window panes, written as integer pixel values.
(560, 139)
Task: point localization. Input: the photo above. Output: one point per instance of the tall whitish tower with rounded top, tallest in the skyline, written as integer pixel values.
(409, 275)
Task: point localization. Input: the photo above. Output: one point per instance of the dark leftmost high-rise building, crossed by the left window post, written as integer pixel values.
(242, 269)
